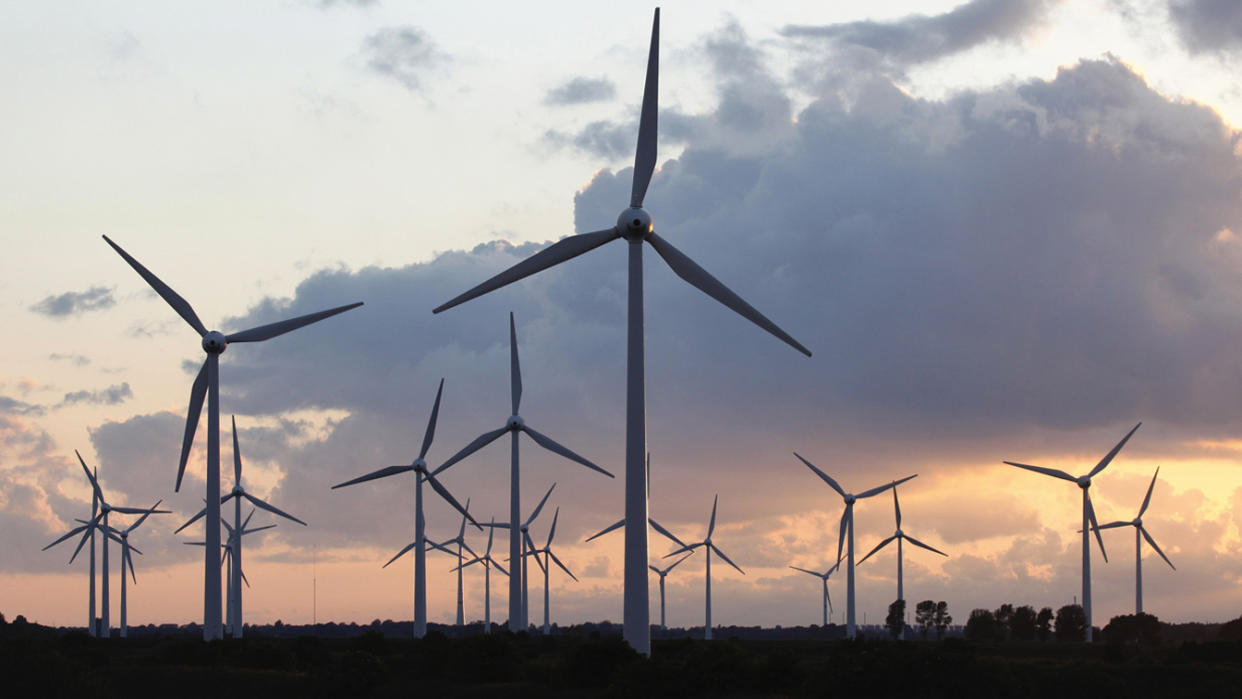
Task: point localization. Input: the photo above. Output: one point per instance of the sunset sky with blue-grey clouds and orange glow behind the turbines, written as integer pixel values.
(1008, 232)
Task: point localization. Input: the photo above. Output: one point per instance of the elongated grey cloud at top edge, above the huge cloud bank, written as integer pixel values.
(918, 39)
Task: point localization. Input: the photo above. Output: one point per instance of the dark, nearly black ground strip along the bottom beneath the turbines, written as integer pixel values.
(42, 662)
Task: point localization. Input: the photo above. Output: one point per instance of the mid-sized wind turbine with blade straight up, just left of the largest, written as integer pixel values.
(516, 425)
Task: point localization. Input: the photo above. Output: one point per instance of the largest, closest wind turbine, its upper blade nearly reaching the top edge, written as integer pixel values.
(635, 227)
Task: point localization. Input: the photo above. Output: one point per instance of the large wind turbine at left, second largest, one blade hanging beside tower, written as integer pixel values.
(207, 384)
